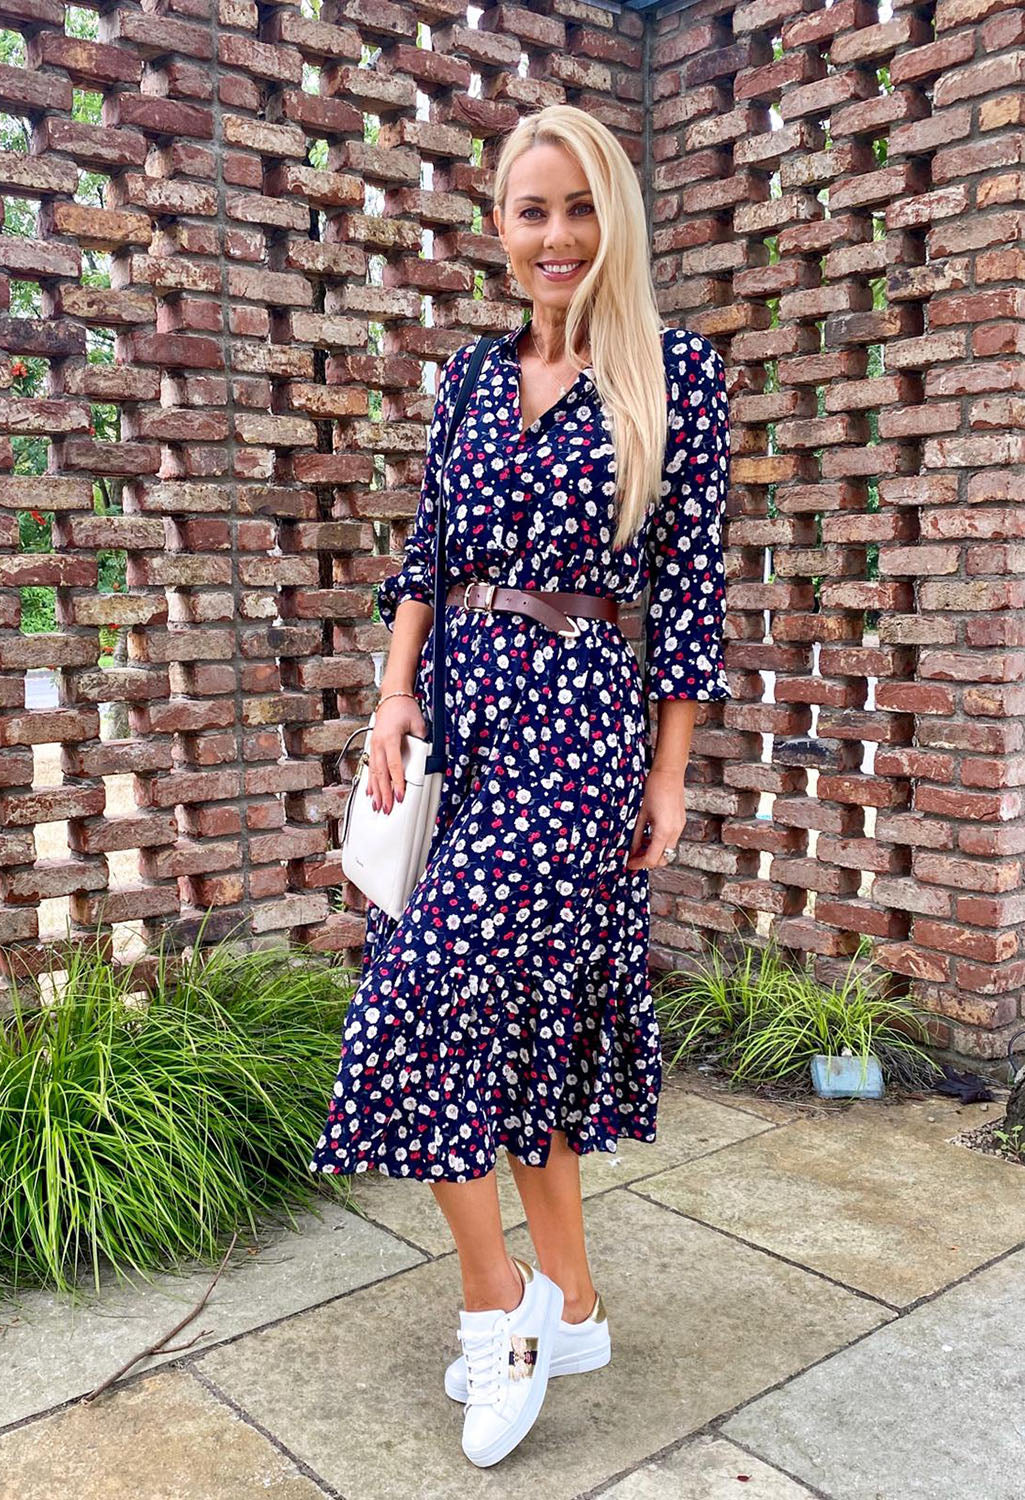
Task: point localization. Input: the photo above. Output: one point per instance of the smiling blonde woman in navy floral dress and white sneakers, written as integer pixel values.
(509, 1006)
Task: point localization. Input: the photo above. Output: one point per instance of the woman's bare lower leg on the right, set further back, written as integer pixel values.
(552, 1198)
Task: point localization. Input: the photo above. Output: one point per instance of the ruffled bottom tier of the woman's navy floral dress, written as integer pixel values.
(479, 1060)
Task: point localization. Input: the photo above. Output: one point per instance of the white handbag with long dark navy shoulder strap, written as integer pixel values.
(385, 854)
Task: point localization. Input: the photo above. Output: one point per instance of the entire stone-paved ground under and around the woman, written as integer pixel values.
(805, 1301)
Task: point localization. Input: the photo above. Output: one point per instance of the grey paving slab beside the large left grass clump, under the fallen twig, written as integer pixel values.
(53, 1351)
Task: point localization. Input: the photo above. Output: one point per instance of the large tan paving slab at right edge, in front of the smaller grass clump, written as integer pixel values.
(876, 1208)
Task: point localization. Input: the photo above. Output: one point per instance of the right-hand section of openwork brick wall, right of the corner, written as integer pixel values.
(838, 206)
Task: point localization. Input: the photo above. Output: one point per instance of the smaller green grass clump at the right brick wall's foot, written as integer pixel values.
(765, 1021)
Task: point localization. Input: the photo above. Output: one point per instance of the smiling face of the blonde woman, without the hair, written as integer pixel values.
(549, 227)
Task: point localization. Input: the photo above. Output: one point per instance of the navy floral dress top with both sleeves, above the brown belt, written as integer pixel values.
(537, 514)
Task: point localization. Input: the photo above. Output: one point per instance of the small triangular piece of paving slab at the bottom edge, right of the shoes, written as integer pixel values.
(708, 1469)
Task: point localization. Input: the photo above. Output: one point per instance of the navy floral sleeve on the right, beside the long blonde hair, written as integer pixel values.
(684, 548)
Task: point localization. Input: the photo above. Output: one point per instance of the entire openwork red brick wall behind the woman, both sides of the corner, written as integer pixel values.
(238, 245)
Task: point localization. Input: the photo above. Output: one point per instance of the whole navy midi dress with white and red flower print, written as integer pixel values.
(512, 995)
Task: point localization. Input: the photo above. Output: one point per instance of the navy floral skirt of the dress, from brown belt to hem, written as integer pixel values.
(511, 998)
